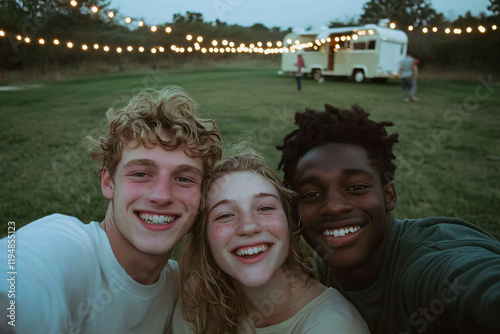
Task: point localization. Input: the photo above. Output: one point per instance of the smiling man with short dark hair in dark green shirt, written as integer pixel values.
(431, 275)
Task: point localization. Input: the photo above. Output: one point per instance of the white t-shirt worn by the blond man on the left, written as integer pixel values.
(69, 281)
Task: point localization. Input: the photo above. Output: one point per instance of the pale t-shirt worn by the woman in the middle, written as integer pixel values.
(330, 312)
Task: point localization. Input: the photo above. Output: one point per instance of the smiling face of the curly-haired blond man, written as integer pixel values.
(154, 198)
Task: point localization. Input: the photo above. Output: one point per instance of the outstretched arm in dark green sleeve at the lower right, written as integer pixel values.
(455, 286)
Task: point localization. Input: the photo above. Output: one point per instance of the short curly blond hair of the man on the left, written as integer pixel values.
(147, 117)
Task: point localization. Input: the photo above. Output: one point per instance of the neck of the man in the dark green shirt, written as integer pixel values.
(362, 277)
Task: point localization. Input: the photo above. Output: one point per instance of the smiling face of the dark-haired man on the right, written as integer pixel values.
(344, 206)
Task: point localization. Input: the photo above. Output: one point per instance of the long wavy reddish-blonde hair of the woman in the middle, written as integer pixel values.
(209, 299)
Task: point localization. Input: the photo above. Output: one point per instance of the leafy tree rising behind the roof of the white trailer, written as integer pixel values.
(403, 12)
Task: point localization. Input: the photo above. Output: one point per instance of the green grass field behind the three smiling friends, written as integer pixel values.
(448, 157)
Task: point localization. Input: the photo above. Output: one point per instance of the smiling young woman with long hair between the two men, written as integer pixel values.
(243, 268)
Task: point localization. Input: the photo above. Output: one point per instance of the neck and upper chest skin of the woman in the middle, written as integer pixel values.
(279, 299)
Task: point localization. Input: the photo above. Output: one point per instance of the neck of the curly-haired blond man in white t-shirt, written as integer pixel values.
(141, 267)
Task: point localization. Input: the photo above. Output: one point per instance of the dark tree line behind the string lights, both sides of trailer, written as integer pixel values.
(59, 19)
